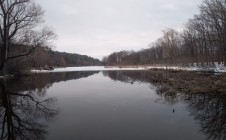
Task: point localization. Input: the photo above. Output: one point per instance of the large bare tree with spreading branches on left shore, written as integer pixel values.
(20, 32)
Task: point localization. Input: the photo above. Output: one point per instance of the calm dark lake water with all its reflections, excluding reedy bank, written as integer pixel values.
(112, 105)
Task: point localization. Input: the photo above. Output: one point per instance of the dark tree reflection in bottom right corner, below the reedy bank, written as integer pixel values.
(210, 111)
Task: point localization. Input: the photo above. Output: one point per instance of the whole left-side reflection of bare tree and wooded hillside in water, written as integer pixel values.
(25, 106)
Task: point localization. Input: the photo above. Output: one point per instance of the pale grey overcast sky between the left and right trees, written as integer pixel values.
(100, 27)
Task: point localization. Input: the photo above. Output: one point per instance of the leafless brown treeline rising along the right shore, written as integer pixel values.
(202, 42)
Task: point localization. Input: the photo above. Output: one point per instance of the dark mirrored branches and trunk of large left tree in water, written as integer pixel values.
(21, 114)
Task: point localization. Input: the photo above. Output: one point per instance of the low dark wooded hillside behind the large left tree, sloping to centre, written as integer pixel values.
(45, 57)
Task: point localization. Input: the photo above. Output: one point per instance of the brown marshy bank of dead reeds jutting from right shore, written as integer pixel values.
(191, 82)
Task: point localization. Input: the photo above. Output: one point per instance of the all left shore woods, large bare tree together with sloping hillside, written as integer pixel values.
(25, 40)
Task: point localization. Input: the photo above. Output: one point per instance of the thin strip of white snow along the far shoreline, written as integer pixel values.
(218, 68)
